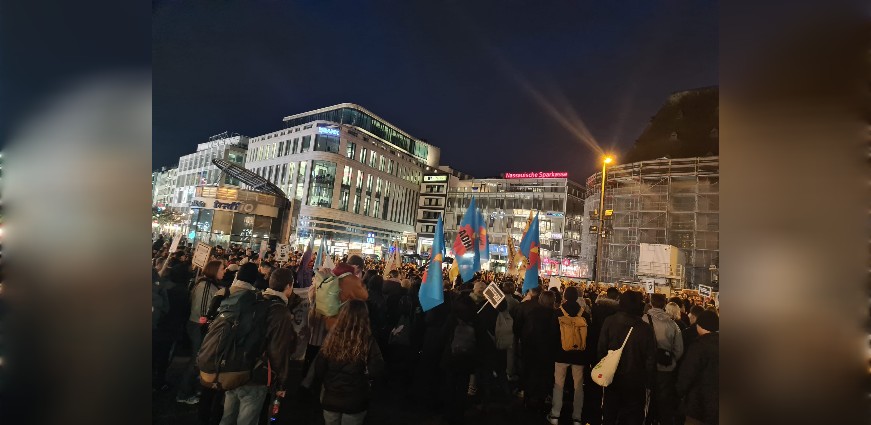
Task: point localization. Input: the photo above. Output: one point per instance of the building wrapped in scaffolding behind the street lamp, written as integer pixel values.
(666, 201)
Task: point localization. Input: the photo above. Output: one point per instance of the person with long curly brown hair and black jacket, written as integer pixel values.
(346, 363)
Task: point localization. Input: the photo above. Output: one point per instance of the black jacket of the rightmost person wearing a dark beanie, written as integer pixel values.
(698, 379)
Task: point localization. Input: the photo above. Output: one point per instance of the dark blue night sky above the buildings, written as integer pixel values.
(497, 85)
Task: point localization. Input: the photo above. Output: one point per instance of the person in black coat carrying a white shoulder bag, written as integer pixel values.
(624, 399)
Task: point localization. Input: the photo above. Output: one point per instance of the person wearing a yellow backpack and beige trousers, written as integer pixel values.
(569, 334)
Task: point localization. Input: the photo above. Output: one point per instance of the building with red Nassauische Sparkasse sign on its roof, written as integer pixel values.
(507, 202)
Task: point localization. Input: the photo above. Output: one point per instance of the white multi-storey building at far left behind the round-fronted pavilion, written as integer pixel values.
(196, 169)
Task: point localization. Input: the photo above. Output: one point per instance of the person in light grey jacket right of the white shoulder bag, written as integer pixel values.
(669, 349)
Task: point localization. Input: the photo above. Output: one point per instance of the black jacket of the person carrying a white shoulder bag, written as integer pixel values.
(637, 363)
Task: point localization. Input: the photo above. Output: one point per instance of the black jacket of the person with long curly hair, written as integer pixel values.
(346, 387)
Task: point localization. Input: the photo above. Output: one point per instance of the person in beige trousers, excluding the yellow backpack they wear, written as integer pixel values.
(565, 360)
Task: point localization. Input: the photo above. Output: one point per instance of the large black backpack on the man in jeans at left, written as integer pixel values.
(235, 342)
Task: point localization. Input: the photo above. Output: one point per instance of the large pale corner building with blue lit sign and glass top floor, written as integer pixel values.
(350, 176)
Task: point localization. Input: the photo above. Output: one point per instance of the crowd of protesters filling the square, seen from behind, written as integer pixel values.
(463, 354)
